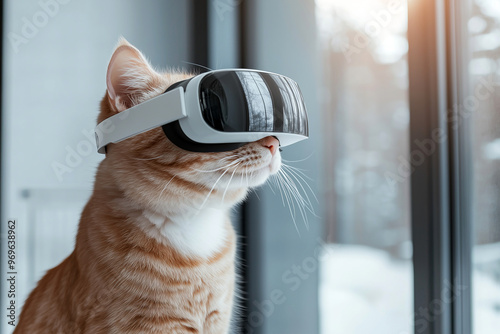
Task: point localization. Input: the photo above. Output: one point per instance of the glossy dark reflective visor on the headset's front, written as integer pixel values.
(248, 101)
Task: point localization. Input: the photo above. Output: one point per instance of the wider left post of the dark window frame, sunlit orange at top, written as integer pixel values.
(430, 183)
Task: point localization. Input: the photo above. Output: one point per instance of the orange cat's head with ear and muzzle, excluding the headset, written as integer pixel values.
(152, 170)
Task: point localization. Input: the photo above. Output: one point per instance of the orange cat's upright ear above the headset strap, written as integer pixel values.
(129, 76)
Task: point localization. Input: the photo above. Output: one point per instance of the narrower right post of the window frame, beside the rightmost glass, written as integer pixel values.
(460, 165)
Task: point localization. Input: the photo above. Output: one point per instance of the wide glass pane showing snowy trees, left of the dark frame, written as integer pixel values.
(366, 282)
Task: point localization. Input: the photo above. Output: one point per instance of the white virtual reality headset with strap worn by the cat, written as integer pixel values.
(216, 111)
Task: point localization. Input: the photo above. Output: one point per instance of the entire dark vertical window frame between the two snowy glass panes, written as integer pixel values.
(441, 182)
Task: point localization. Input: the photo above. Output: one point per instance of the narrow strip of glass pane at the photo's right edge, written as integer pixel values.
(484, 76)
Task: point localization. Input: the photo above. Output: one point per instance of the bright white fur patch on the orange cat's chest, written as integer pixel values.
(202, 235)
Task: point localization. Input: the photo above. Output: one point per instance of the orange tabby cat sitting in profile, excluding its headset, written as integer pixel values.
(155, 249)
